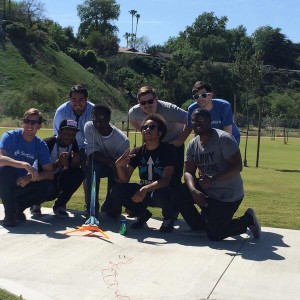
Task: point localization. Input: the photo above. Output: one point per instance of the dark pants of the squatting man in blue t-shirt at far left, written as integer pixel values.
(16, 197)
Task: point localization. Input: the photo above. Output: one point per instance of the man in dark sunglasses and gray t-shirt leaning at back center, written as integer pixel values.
(174, 116)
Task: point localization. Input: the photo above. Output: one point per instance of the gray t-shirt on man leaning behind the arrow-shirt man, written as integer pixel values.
(175, 118)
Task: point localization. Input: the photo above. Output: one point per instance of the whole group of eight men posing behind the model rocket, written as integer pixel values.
(85, 142)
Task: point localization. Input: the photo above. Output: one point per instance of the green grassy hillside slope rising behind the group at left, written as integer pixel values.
(43, 69)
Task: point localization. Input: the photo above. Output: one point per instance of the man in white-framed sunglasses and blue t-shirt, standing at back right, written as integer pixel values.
(220, 110)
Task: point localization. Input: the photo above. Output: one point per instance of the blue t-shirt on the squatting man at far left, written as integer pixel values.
(19, 149)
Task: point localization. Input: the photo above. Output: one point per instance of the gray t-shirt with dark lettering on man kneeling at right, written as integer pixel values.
(211, 160)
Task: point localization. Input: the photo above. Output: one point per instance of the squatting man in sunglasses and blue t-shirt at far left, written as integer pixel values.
(21, 185)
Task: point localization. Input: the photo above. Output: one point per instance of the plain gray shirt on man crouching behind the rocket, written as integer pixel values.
(111, 146)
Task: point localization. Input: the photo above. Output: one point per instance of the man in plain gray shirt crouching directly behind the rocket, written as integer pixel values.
(104, 144)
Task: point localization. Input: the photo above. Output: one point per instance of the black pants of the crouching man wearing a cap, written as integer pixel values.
(66, 183)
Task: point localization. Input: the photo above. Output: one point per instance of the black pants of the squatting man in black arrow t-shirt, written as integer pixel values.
(123, 192)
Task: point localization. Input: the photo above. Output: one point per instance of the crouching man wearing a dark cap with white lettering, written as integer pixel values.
(68, 175)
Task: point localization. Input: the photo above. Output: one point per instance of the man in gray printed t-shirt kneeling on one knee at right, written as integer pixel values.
(219, 189)
